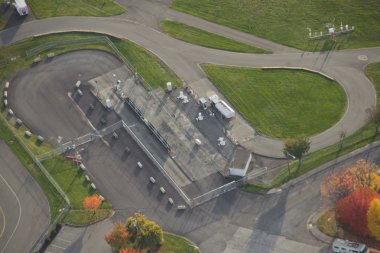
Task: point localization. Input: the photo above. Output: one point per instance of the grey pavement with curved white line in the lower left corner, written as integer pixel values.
(24, 209)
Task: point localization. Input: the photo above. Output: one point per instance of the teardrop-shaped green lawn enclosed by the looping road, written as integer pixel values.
(281, 103)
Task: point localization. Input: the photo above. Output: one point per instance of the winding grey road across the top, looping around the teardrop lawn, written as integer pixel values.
(184, 59)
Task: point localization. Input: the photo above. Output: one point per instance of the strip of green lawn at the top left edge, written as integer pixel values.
(53, 8)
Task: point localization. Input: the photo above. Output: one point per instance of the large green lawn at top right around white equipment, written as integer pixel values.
(285, 22)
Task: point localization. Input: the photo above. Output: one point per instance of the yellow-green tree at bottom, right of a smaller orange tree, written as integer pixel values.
(144, 233)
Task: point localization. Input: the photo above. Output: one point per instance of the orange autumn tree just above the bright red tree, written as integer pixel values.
(340, 184)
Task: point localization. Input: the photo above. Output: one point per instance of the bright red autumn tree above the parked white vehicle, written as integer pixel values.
(352, 210)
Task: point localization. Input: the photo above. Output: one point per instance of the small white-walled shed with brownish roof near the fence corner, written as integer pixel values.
(240, 163)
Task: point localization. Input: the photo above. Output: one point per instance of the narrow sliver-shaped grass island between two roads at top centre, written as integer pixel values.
(203, 38)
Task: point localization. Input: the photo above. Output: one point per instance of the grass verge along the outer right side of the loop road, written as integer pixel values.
(359, 139)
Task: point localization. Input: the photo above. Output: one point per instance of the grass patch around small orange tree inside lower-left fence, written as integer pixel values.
(72, 181)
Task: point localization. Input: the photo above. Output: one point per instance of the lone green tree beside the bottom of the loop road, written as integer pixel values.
(297, 147)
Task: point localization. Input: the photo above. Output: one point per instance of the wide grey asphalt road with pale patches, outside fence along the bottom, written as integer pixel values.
(237, 221)
